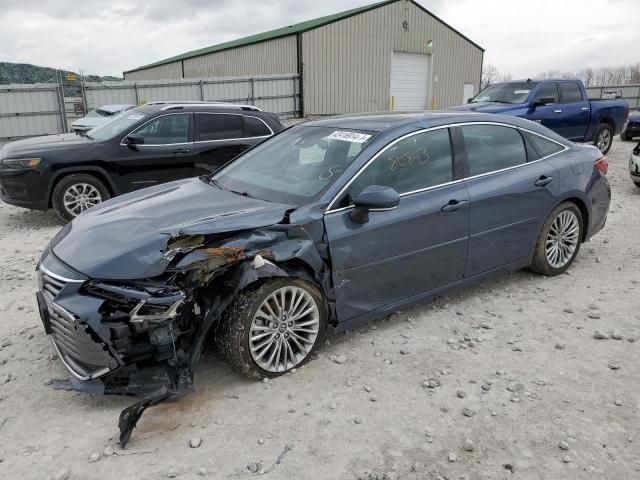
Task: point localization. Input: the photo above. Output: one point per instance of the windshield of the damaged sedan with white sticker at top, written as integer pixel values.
(296, 166)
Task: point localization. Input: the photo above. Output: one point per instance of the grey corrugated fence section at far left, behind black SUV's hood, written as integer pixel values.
(29, 110)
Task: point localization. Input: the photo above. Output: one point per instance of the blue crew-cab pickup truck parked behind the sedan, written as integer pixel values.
(561, 105)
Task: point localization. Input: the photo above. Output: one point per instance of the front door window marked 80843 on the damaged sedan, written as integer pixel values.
(414, 163)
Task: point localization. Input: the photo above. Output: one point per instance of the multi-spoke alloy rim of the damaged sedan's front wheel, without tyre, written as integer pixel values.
(284, 329)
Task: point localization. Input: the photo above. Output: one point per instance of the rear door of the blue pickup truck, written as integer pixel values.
(572, 112)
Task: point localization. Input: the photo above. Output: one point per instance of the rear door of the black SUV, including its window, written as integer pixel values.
(220, 137)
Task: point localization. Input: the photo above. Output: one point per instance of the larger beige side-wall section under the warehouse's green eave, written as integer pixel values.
(266, 58)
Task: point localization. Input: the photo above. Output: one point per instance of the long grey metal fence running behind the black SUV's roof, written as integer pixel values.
(274, 93)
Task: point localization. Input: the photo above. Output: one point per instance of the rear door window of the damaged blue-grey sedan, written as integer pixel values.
(492, 147)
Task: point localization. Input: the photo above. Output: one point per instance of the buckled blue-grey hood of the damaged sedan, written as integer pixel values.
(125, 238)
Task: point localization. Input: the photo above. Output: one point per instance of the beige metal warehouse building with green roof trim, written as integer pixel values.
(393, 55)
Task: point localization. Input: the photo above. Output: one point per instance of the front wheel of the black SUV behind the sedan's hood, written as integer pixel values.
(77, 193)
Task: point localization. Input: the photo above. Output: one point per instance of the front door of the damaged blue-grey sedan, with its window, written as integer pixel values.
(416, 247)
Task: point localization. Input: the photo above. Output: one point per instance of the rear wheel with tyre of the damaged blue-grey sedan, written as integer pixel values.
(559, 240)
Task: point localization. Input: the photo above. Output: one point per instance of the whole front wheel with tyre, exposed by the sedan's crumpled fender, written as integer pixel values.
(268, 330)
